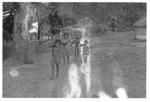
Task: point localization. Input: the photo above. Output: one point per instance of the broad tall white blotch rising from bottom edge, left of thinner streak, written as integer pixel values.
(73, 75)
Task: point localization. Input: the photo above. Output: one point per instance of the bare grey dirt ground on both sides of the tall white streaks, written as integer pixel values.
(115, 62)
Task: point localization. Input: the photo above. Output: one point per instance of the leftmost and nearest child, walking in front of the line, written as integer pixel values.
(56, 57)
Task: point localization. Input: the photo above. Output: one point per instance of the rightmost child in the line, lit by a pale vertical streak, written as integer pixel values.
(85, 51)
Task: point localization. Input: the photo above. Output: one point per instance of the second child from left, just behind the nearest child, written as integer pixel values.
(66, 46)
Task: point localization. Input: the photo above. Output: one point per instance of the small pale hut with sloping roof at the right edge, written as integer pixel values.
(140, 28)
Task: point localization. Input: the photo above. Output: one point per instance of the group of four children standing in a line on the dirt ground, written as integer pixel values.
(63, 48)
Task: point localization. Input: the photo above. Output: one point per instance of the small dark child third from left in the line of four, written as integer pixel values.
(77, 50)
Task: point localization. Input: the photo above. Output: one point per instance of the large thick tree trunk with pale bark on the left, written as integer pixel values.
(21, 32)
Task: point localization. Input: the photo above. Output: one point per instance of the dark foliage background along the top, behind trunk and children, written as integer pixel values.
(125, 15)
